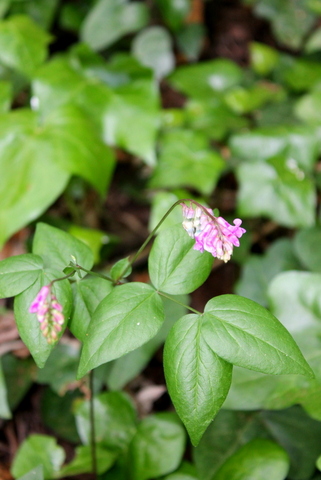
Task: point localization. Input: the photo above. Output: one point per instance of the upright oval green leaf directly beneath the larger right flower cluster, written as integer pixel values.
(174, 267)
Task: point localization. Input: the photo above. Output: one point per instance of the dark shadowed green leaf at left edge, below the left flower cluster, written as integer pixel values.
(19, 376)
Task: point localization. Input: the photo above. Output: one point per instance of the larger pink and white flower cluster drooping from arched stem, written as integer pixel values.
(213, 234)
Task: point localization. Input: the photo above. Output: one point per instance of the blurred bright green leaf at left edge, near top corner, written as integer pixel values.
(23, 44)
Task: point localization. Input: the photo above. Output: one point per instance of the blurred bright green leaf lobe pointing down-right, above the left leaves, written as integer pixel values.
(81, 152)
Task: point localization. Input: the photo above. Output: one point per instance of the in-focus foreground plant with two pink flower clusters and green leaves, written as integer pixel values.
(115, 316)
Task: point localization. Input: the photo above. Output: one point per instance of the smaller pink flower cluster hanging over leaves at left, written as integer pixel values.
(49, 313)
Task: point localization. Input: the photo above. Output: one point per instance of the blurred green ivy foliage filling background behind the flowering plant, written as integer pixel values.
(111, 110)
